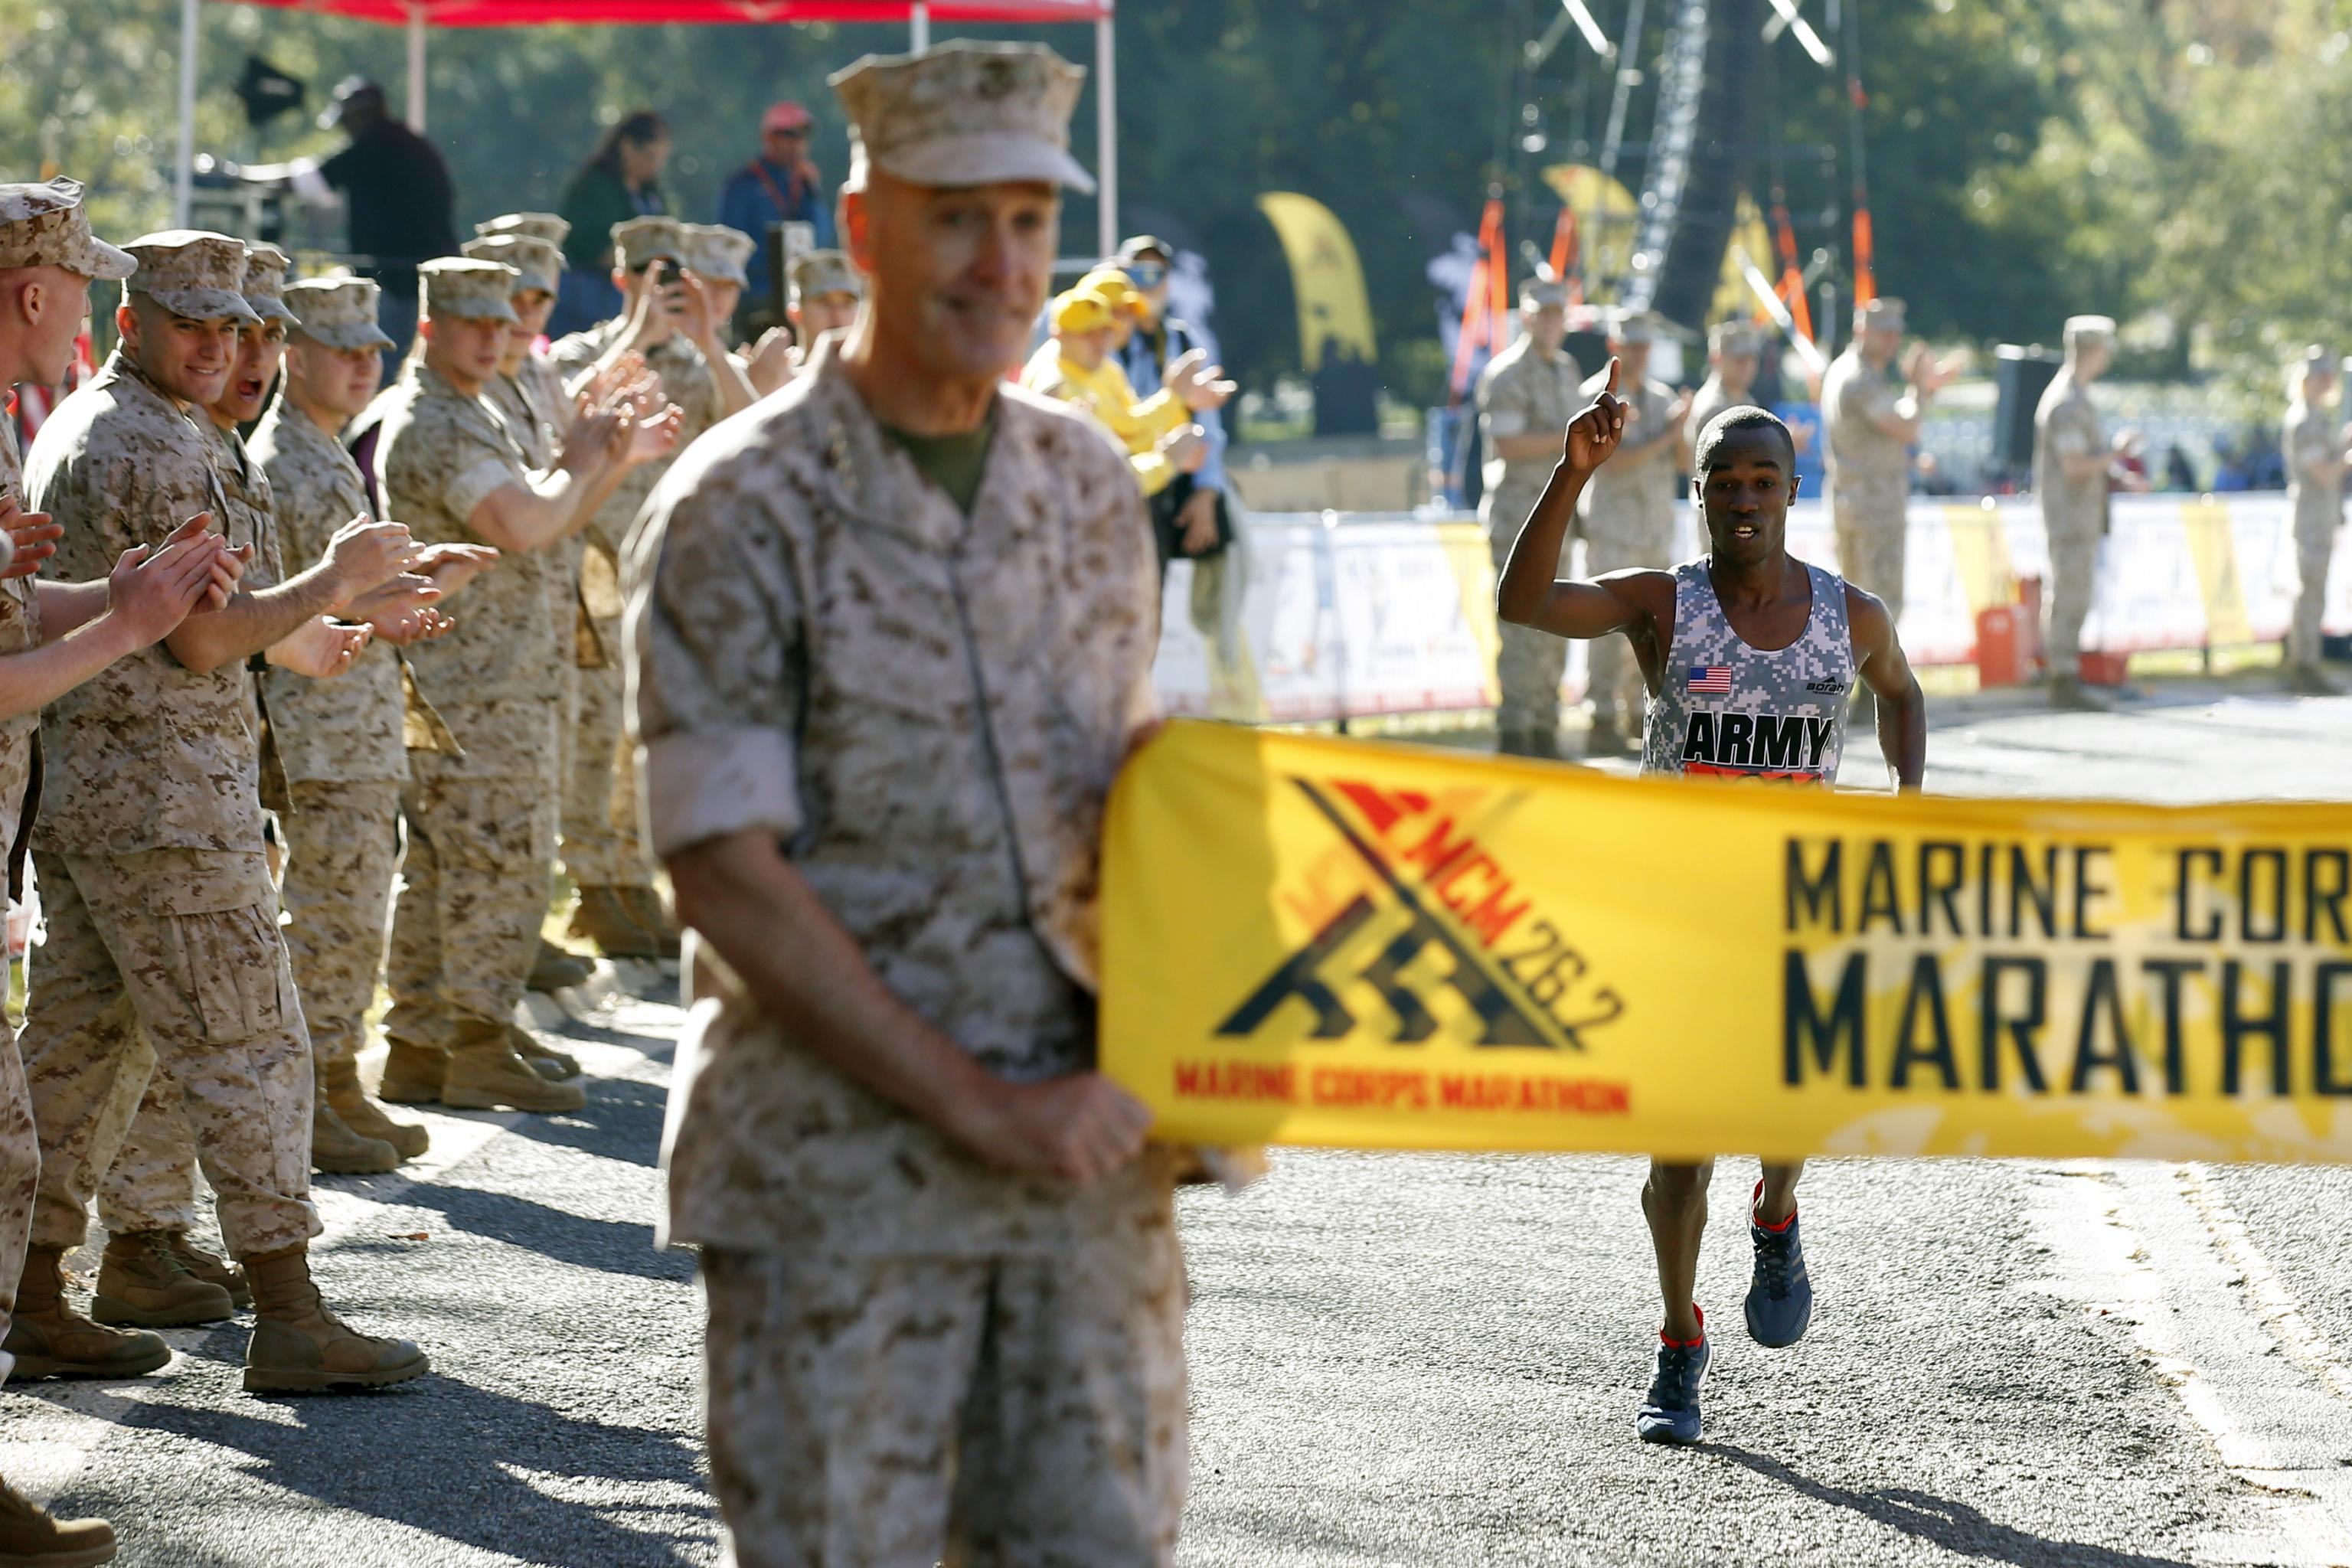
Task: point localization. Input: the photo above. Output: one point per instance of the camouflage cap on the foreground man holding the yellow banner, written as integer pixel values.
(963, 114)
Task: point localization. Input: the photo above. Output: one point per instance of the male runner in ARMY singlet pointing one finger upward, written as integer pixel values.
(1744, 631)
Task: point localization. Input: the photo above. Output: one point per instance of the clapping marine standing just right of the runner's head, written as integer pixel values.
(1871, 427)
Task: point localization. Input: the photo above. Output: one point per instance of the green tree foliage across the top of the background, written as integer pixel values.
(2029, 159)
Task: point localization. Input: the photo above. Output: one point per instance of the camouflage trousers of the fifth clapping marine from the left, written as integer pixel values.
(472, 902)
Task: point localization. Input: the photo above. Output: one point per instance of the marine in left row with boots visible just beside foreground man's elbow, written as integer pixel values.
(620, 909)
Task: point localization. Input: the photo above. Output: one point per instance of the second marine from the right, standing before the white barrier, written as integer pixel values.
(2071, 481)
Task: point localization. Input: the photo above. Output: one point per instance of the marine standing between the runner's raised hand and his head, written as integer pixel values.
(1629, 518)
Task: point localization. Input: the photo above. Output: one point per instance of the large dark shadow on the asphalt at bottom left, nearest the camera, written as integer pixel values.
(441, 1456)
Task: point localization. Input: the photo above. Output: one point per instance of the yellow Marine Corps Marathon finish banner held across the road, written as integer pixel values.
(1379, 946)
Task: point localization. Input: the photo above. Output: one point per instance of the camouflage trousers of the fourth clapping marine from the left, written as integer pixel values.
(342, 857)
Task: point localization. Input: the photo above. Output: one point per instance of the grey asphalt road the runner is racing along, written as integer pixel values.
(1396, 1360)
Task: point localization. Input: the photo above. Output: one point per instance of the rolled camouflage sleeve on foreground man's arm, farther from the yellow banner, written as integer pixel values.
(714, 641)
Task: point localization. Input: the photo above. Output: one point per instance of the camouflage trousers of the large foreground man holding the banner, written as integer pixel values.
(907, 1412)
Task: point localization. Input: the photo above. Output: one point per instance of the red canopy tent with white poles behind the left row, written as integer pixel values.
(916, 15)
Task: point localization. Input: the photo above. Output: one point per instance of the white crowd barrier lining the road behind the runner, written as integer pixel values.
(1351, 615)
